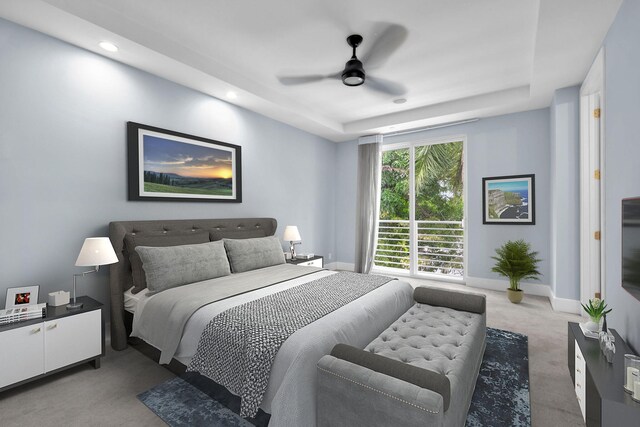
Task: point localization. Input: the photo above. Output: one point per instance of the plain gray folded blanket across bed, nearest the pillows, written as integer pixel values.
(166, 314)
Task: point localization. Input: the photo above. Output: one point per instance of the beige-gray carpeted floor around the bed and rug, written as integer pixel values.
(107, 396)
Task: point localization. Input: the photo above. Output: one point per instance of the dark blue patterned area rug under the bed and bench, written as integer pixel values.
(501, 397)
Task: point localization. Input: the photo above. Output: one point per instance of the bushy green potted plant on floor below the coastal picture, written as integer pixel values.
(517, 261)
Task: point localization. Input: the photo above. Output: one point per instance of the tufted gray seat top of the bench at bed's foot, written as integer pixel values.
(436, 338)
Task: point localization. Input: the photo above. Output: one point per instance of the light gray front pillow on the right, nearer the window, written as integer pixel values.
(251, 254)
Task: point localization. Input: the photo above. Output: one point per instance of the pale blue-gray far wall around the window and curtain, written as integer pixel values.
(504, 145)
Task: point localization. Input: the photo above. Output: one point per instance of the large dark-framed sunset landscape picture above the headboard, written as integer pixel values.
(173, 166)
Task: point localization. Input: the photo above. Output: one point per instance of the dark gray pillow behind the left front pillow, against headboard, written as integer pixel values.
(156, 240)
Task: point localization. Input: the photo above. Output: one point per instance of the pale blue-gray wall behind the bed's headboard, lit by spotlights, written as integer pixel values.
(63, 164)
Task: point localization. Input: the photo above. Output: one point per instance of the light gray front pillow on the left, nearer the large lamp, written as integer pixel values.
(174, 266)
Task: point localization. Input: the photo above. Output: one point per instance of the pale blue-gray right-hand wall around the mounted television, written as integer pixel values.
(622, 158)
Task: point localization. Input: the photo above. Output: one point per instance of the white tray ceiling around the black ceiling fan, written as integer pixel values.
(461, 59)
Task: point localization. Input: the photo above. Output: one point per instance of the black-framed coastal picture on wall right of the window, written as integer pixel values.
(509, 200)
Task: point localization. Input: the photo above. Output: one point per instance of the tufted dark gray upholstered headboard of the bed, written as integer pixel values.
(120, 273)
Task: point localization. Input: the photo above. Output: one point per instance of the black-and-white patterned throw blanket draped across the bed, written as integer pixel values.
(237, 347)
